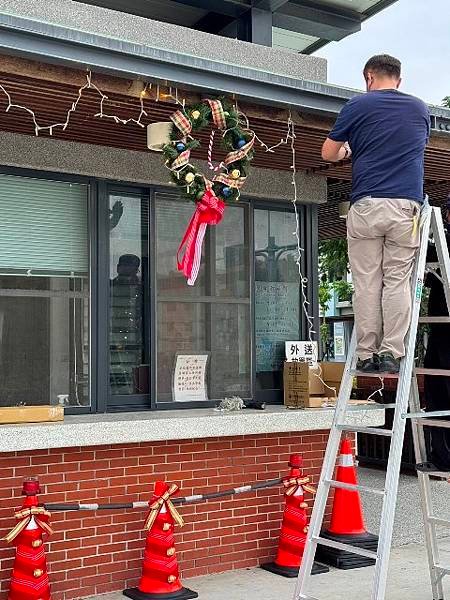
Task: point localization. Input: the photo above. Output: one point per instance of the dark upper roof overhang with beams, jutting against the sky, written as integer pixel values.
(302, 25)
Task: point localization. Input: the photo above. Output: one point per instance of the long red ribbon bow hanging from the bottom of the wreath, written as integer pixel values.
(209, 211)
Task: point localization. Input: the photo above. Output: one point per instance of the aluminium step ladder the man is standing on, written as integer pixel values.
(407, 397)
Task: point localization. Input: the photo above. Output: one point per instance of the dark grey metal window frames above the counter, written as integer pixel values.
(98, 231)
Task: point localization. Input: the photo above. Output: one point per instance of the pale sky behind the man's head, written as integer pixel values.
(415, 31)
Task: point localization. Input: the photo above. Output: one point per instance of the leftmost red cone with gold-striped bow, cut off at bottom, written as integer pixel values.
(29, 579)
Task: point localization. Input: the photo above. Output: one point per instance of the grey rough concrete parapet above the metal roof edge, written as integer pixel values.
(121, 27)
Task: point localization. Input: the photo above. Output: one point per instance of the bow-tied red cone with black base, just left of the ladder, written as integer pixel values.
(294, 526)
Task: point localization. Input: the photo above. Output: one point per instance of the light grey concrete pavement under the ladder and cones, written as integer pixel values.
(408, 577)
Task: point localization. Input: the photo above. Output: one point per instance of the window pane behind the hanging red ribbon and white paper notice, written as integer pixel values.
(213, 315)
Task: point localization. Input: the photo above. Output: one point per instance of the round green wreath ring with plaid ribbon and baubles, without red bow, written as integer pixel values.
(237, 141)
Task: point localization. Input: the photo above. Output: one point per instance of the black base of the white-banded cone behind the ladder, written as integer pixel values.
(342, 559)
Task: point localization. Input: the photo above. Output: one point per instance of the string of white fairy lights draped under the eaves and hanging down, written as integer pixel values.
(289, 139)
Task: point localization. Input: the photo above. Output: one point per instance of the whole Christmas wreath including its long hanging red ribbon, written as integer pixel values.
(210, 195)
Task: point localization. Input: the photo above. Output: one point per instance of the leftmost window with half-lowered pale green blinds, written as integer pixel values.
(44, 292)
